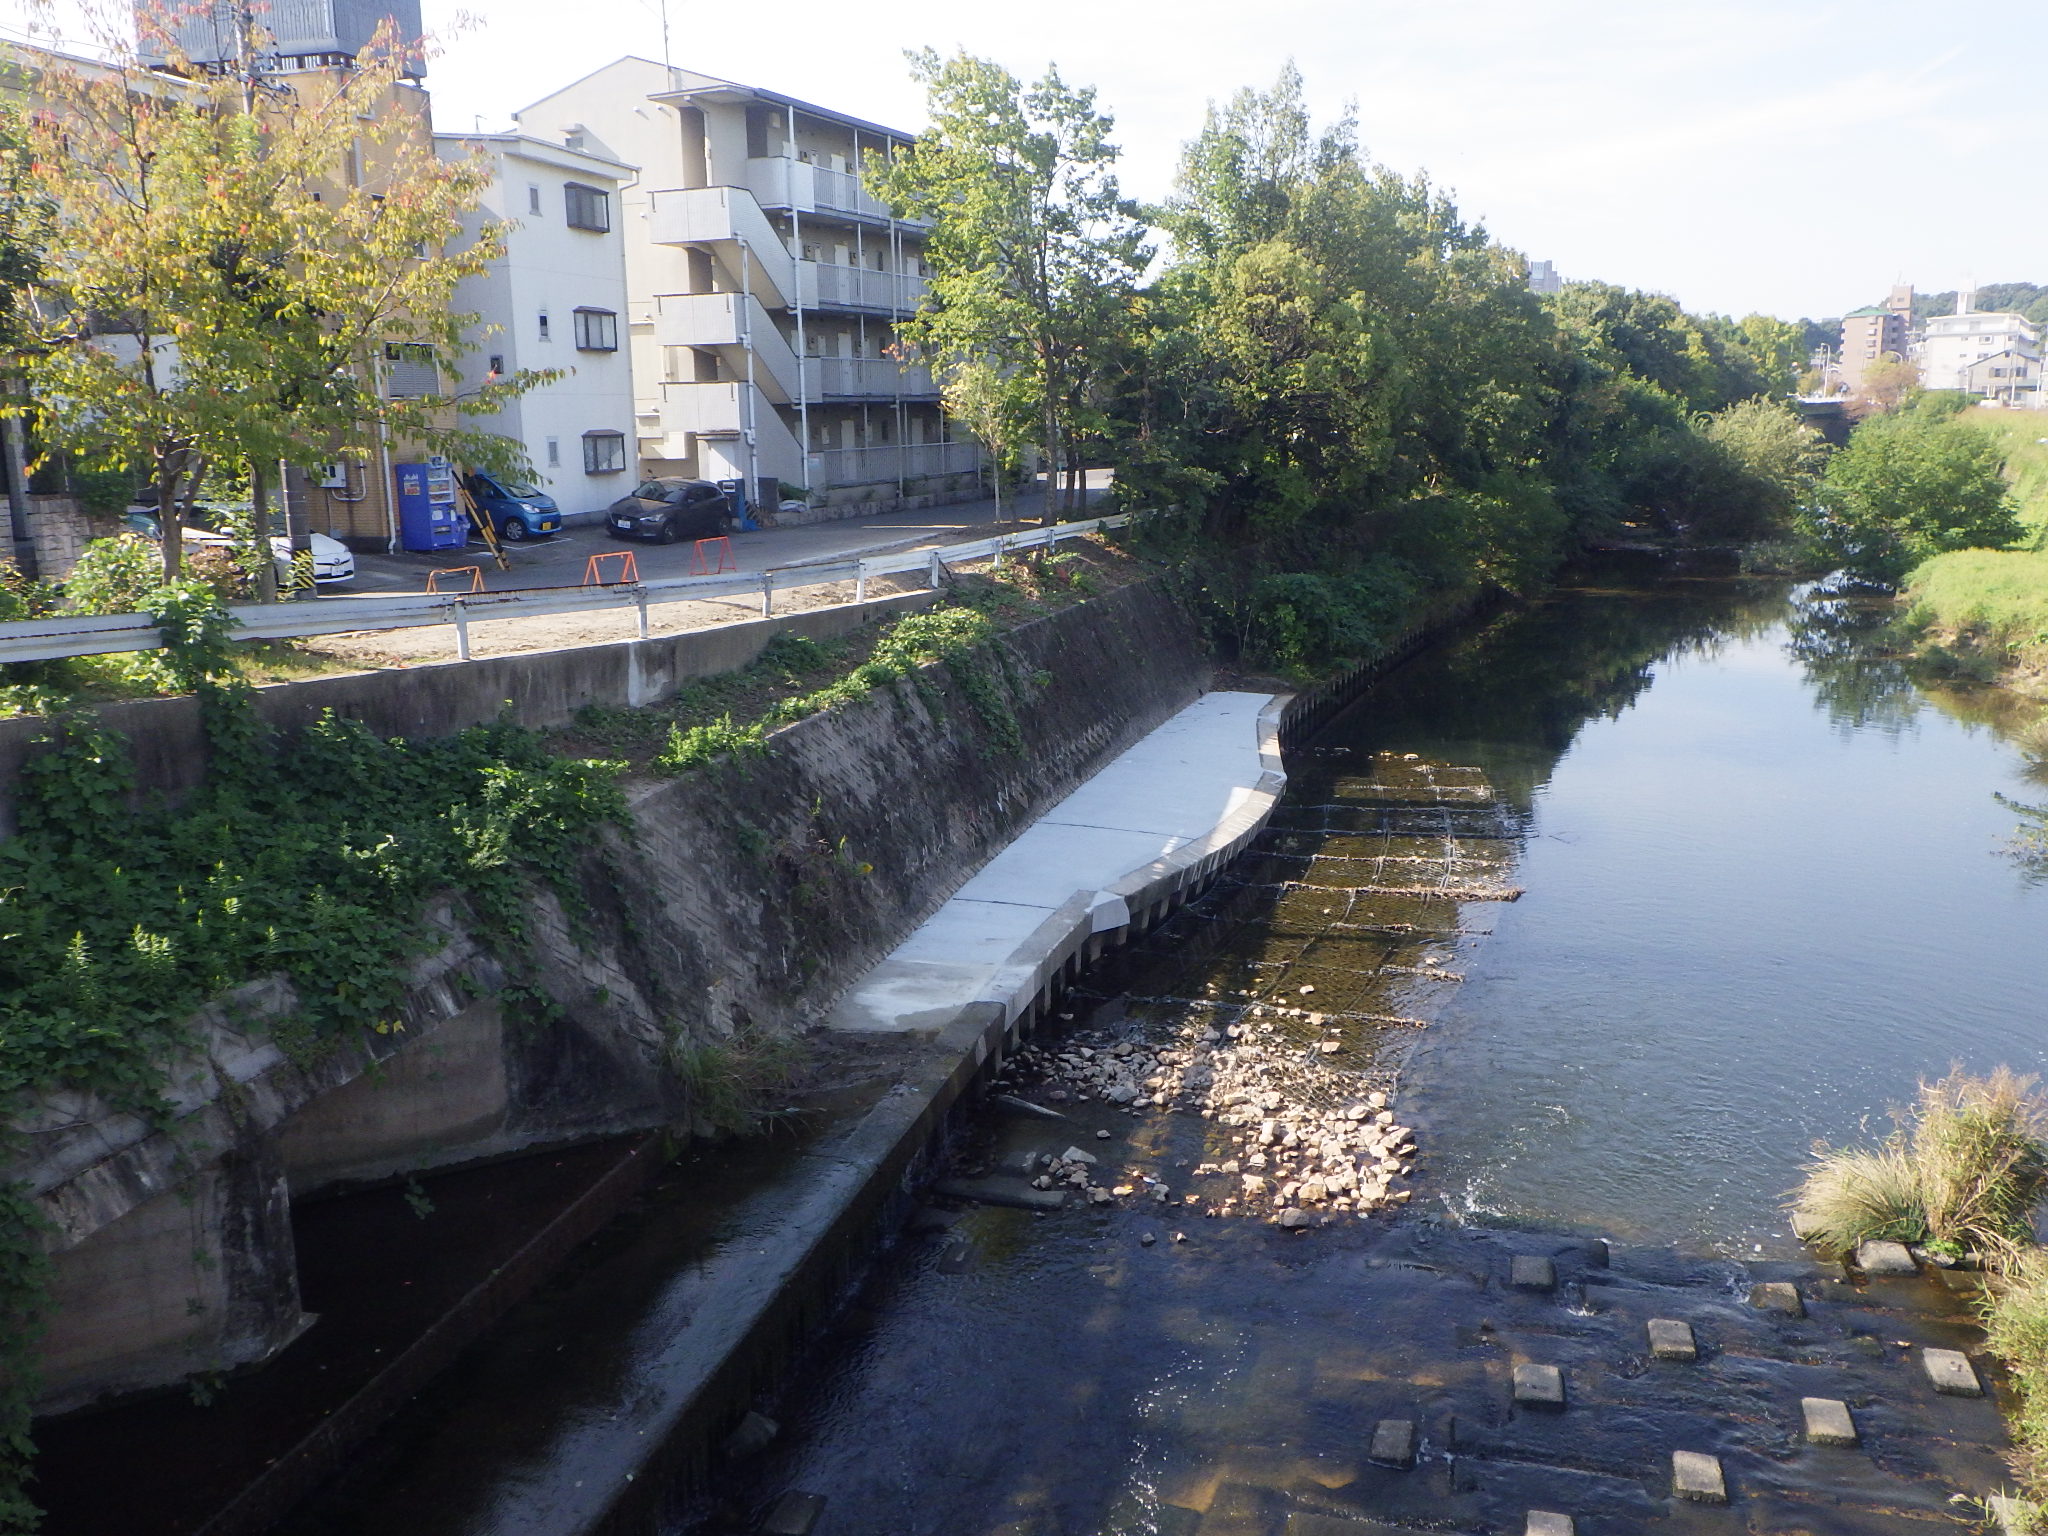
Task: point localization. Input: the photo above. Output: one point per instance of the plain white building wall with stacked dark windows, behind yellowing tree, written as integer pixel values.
(558, 300)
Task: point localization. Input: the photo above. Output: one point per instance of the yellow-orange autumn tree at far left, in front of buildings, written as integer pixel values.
(230, 269)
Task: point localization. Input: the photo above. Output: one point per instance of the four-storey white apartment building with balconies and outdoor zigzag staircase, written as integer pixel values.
(763, 290)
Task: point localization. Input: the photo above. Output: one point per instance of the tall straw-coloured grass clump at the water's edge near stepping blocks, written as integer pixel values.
(1963, 1175)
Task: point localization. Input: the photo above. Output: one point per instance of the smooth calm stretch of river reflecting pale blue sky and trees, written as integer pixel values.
(1764, 896)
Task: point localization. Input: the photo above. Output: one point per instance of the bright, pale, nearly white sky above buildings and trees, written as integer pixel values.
(1781, 157)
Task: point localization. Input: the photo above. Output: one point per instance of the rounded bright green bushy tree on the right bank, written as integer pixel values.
(1908, 488)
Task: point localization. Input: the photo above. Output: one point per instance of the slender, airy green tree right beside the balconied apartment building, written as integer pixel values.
(1033, 247)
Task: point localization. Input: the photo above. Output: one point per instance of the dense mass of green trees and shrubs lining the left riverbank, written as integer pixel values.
(1338, 402)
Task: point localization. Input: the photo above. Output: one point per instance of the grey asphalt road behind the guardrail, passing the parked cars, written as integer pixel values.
(566, 558)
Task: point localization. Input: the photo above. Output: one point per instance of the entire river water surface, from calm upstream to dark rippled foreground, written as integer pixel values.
(1764, 890)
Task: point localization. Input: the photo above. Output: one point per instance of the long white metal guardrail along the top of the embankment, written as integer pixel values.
(50, 640)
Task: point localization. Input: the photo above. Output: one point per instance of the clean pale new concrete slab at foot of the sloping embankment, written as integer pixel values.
(1183, 796)
